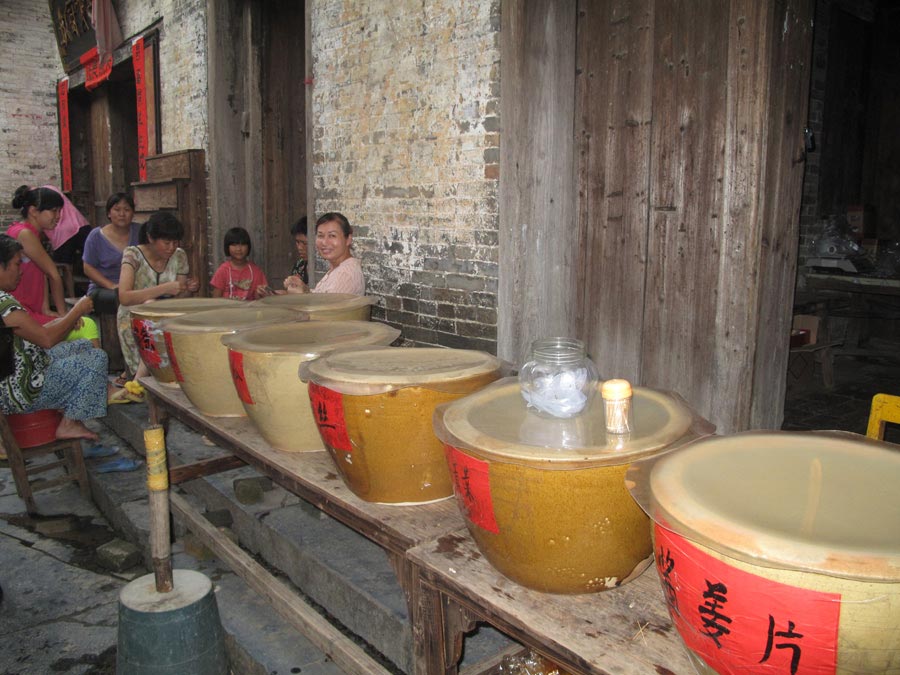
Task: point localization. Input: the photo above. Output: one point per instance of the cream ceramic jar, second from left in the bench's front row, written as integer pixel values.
(200, 360)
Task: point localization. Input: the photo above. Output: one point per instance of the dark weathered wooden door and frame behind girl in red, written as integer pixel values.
(257, 125)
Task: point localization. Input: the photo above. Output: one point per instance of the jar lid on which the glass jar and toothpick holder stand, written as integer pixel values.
(495, 422)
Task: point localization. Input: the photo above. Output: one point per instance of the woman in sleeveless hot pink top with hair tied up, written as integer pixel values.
(41, 209)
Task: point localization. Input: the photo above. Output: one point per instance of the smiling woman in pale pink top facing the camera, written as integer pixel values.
(334, 236)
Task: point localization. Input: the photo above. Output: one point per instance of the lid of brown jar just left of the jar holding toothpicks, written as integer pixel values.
(375, 370)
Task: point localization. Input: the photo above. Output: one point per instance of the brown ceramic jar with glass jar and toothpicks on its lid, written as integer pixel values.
(545, 499)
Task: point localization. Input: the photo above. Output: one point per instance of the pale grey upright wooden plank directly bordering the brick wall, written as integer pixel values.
(538, 245)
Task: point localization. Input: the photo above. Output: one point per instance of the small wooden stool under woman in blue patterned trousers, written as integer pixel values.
(69, 457)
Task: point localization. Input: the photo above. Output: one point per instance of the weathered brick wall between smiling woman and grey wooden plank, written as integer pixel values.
(406, 144)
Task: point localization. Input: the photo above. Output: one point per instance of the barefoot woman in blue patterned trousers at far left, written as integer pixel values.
(47, 372)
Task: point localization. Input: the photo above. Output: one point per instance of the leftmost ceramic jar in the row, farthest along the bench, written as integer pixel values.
(148, 335)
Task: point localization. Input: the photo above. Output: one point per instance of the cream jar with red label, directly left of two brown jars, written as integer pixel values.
(265, 363)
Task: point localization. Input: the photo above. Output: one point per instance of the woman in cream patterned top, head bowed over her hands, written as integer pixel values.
(156, 268)
